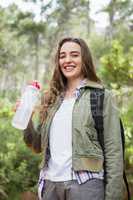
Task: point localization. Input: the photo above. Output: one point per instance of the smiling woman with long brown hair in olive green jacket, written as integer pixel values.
(72, 168)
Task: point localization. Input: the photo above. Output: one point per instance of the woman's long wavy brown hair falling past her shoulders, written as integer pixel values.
(58, 81)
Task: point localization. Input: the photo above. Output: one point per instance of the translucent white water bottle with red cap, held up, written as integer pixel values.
(27, 103)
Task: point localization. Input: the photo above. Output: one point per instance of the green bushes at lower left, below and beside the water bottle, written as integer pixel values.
(18, 165)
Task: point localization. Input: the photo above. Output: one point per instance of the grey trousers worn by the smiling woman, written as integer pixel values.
(71, 190)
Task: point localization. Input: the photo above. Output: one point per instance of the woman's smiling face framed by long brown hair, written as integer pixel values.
(70, 61)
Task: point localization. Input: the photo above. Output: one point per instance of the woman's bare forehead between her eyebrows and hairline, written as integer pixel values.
(70, 46)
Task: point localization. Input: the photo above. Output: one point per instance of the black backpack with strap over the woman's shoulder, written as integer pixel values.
(96, 101)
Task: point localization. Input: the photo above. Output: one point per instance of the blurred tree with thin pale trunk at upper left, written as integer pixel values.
(24, 25)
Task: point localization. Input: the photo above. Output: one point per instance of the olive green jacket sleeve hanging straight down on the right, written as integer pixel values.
(113, 150)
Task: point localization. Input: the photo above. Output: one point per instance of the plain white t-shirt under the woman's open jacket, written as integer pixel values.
(60, 141)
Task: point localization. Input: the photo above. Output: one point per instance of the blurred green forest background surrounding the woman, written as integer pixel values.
(29, 33)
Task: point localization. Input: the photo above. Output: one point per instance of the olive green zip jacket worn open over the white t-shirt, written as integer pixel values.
(86, 150)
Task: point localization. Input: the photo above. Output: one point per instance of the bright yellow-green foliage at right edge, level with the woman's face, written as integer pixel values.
(117, 67)
